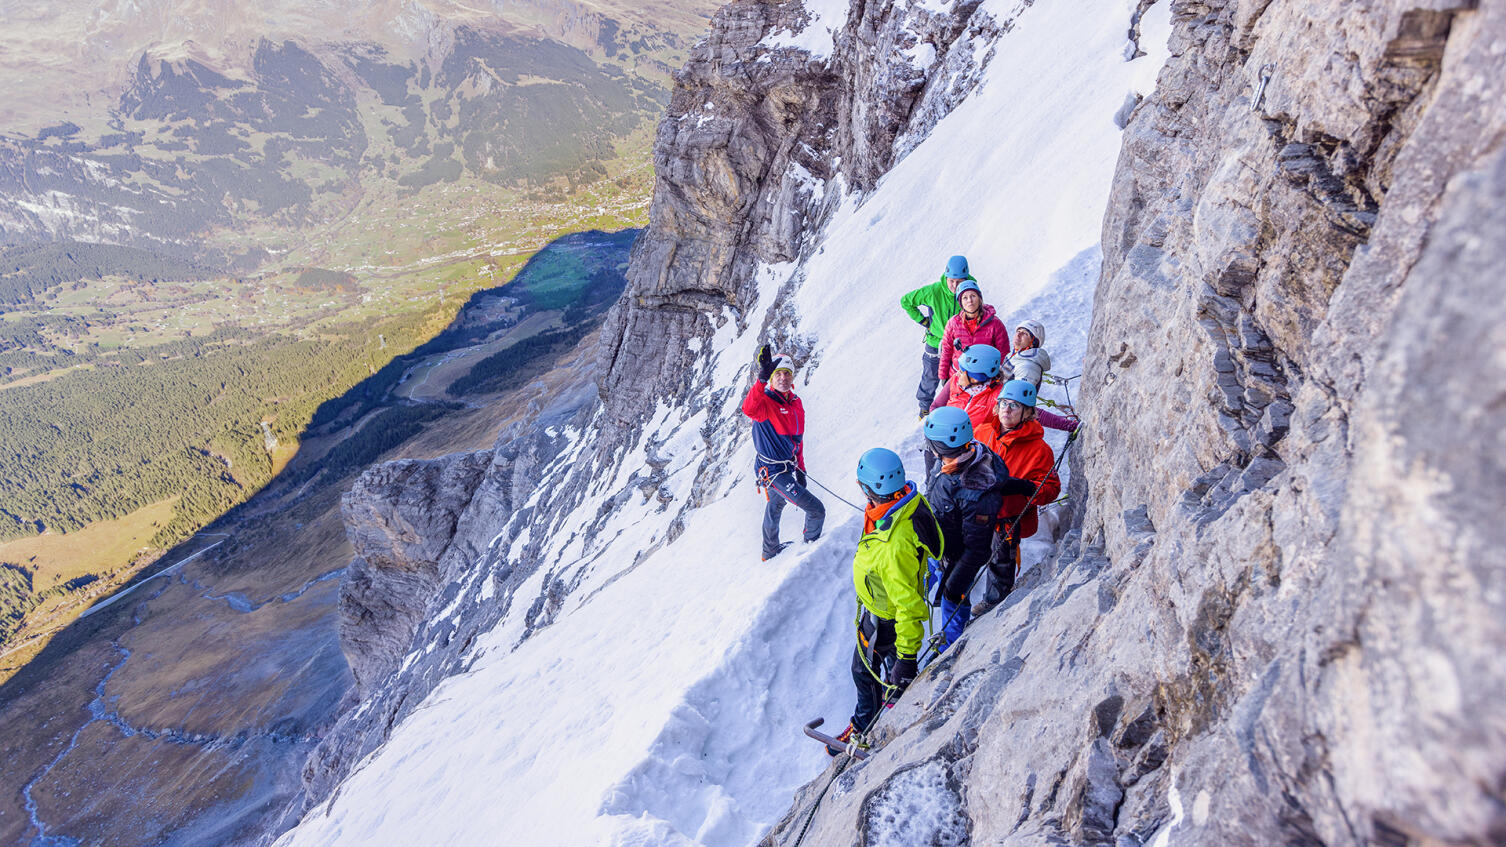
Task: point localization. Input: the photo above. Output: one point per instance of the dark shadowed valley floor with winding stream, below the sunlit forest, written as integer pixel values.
(183, 712)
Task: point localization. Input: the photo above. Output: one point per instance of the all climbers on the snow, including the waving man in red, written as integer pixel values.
(987, 471)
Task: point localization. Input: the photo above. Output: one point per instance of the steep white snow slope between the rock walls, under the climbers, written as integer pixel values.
(665, 705)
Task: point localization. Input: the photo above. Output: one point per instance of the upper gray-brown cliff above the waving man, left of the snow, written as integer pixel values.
(752, 136)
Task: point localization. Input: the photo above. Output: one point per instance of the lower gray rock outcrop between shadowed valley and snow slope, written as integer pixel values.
(424, 534)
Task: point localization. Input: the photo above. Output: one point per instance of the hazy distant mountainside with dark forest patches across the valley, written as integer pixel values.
(197, 142)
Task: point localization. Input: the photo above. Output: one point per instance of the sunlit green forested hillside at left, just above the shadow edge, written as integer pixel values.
(174, 420)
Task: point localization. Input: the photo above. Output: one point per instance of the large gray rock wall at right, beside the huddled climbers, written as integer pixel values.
(1278, 617)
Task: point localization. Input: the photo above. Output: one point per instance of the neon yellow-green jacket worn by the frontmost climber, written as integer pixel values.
(889, 569)
